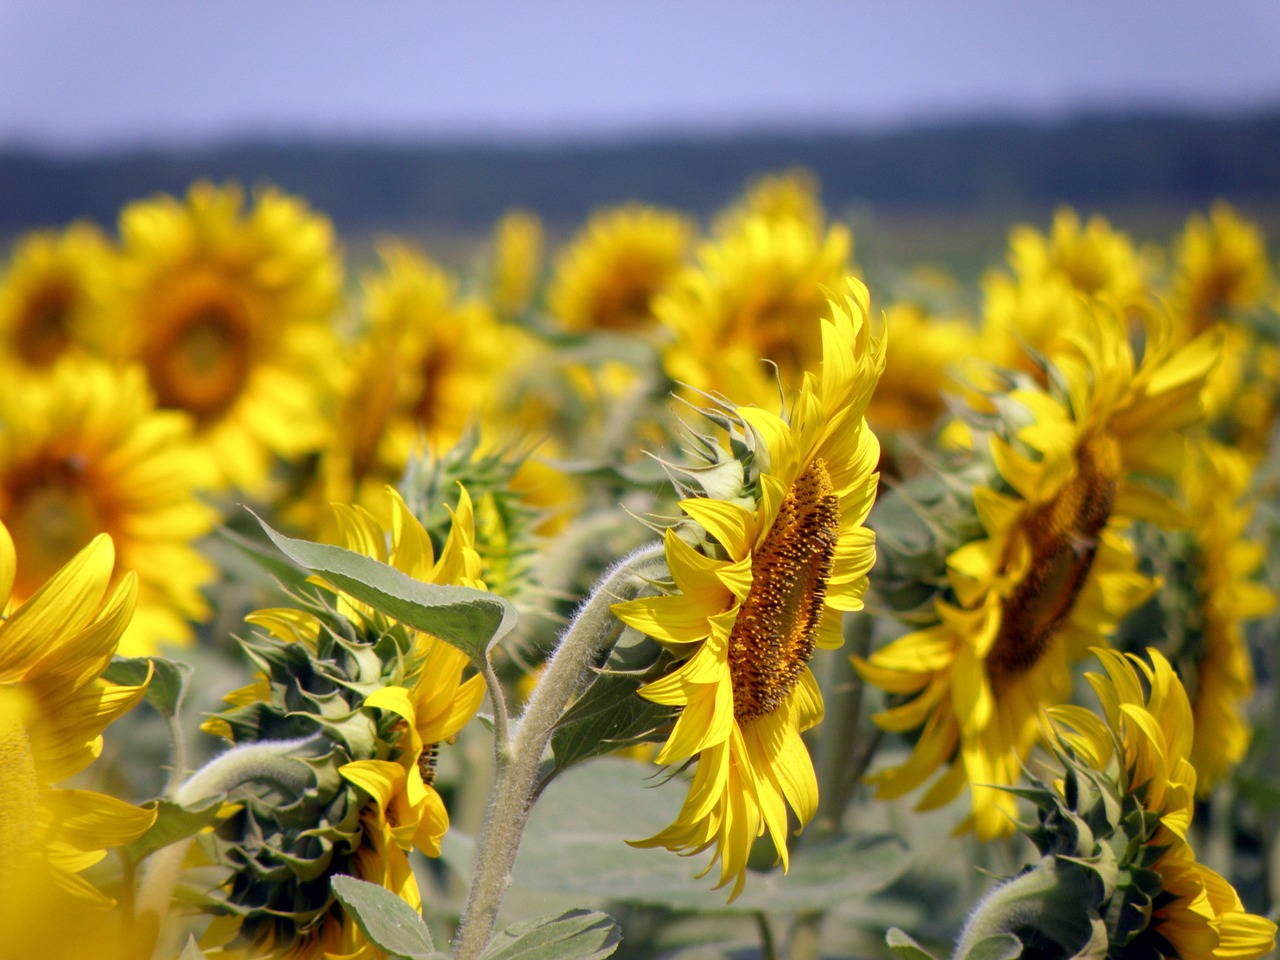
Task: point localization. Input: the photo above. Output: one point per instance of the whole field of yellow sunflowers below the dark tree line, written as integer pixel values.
(410, 611)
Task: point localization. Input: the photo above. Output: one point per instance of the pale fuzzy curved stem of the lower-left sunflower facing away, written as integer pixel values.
(269, 761)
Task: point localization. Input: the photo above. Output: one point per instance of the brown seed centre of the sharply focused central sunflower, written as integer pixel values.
(778, 624)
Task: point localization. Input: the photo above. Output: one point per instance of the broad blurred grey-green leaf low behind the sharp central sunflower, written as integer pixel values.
(577, 844)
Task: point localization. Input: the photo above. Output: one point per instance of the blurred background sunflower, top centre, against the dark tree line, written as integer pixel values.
(607, 277)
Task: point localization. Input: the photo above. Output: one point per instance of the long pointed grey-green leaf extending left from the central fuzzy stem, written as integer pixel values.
(470, 620)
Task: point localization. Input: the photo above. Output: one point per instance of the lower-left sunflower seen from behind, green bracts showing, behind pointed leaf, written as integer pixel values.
(377, 702)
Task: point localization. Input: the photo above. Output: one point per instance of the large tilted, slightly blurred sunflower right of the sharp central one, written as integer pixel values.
(1054, 573)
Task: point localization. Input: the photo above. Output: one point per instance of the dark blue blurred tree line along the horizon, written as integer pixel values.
(1090, 162)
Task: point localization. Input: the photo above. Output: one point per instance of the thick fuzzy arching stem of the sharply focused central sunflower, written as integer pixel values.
(518, 767)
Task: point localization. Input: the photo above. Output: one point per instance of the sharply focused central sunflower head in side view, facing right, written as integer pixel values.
(758, 582)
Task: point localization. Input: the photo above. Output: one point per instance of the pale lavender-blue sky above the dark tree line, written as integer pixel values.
(92, 74)
